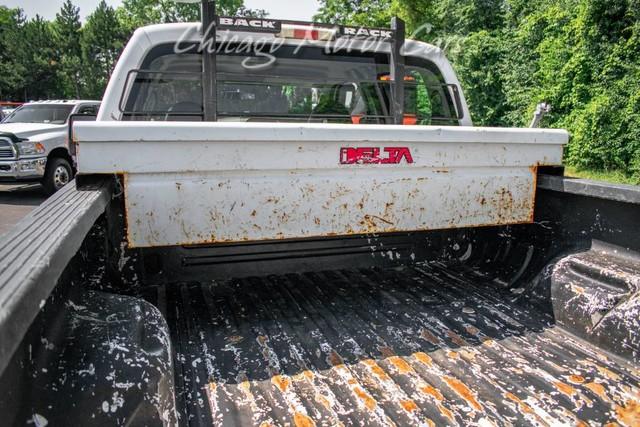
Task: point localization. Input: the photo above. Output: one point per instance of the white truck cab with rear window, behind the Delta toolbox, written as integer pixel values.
(295, 73)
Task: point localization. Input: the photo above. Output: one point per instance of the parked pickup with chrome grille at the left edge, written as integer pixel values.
(34, 146)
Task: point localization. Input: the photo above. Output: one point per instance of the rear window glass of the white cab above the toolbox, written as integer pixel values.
(292, 84)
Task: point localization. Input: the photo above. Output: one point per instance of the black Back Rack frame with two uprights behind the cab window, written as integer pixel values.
(211, 23)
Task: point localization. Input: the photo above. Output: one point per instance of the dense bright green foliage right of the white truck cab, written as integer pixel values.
(581, 56)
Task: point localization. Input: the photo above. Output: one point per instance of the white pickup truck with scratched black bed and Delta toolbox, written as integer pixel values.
(277, 269)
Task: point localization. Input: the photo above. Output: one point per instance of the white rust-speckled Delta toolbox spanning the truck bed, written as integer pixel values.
(189, 183)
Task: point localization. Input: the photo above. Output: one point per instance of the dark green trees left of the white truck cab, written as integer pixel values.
(66, 58)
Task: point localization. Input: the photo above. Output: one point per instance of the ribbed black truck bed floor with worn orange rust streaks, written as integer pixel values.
(422, 345)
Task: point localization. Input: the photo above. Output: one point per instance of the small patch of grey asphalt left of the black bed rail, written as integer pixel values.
(16, 201)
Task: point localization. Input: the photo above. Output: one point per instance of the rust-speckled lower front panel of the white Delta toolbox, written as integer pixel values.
(211, 211)
